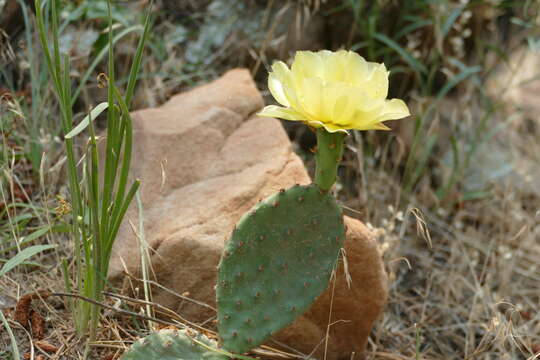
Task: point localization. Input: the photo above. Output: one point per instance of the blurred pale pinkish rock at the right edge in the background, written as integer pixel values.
(510, 157)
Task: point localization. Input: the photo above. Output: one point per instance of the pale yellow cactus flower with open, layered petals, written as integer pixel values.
(335, 90)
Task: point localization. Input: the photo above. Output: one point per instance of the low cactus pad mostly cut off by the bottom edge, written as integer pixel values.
(173, 345)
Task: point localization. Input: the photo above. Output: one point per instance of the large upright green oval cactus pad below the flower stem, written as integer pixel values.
(278, 260)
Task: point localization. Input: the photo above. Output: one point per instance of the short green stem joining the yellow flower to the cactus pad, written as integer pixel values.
(328, 157)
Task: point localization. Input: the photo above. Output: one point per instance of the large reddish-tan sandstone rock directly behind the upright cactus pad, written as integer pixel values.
(204, 159)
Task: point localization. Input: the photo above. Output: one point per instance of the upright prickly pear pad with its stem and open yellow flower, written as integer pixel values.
(282, 253)
